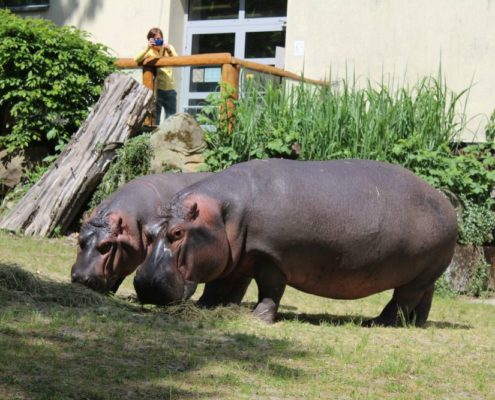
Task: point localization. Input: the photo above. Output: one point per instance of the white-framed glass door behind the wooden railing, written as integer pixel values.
(248, 29)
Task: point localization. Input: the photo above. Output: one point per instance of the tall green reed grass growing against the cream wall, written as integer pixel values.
(347, 120)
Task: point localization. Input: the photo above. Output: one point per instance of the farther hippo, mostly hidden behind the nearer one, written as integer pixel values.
(116, 237)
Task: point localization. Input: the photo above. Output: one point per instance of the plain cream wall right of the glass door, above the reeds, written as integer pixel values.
(399, 38)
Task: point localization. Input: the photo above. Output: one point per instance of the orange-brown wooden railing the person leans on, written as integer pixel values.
(230, 67)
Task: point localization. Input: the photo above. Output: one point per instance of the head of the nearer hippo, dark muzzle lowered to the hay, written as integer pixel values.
(191, 247)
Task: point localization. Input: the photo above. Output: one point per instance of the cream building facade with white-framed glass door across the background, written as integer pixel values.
(395, 40)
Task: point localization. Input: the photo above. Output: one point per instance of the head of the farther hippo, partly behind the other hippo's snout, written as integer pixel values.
(109, 249)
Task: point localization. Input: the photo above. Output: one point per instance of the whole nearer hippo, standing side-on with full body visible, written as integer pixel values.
(342, 229)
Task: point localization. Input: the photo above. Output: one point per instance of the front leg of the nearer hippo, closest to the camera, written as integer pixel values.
(271, 286)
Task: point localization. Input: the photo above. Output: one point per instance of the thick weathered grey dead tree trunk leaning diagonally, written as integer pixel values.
(57, 198)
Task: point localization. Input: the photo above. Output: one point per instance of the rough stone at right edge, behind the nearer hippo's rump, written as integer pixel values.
(462, 266)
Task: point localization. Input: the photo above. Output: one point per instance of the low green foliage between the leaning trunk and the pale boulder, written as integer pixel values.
(131, 161)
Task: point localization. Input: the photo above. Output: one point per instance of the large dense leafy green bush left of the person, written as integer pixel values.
(49, 78)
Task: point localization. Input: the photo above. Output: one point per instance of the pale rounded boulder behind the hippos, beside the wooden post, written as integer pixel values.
(178, 144)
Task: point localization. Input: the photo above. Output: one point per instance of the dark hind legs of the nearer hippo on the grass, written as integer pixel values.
(406, 306)
